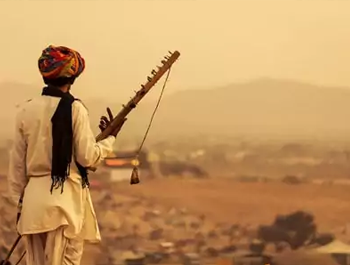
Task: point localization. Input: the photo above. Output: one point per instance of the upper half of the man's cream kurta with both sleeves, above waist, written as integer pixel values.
(31, 155)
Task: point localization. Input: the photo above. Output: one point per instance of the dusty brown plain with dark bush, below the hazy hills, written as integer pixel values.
(211, 197)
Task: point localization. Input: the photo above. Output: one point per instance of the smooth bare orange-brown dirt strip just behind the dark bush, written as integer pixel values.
(223, 200)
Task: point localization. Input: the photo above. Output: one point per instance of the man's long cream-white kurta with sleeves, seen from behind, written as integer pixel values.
(30, 171)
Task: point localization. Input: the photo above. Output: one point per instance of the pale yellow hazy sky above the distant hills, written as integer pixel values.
(220, 41)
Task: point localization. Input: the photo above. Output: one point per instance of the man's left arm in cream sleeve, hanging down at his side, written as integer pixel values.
(17, 178)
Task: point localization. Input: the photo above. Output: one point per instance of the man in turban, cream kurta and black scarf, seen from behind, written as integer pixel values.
(53, 147)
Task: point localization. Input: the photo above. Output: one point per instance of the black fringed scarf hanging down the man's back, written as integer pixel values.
(62, 139)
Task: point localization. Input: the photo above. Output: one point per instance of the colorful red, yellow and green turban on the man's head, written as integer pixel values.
(60, 61)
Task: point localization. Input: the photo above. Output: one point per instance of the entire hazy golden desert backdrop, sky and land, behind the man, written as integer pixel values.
(248, 157)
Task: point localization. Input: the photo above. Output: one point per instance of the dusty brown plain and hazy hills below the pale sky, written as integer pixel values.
(221, 187)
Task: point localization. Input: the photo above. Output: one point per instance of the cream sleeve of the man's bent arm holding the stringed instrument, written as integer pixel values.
(88, 152)
